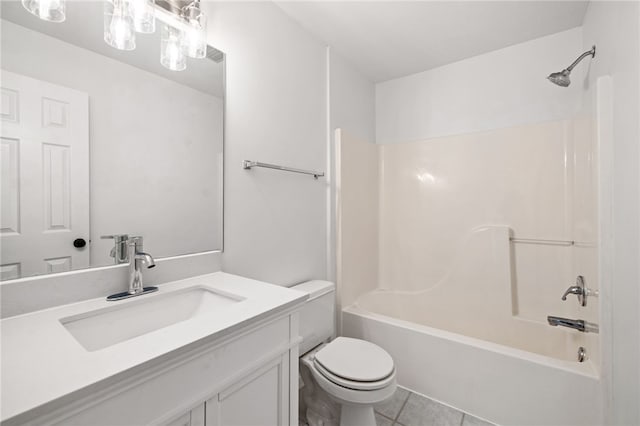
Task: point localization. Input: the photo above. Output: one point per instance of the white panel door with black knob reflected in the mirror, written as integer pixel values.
(45, 177)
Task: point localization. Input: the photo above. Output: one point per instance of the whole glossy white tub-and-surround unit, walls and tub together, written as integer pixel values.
(448, 209)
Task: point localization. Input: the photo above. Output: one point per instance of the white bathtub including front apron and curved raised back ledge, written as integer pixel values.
(461, 343)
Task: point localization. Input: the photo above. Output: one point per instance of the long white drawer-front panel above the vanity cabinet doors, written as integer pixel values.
(161, 395)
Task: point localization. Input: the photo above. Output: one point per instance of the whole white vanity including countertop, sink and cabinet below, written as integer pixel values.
(232, 363)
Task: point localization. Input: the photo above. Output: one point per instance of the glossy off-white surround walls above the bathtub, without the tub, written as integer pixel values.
(432, 197)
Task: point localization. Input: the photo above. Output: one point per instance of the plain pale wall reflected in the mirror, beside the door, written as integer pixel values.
(155, 146)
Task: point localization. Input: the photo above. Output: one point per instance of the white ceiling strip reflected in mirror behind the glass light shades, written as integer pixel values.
(83, 27)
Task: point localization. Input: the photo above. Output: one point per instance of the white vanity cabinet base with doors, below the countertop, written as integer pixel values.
(248, 378)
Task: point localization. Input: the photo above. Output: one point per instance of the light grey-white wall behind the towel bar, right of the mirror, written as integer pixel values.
(275, 222)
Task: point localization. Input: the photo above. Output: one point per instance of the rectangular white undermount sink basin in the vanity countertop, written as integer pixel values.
(105, 327)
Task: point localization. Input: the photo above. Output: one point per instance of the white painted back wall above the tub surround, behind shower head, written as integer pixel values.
(503, 88)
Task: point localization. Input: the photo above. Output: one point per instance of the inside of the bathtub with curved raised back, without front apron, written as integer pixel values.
(475, 299)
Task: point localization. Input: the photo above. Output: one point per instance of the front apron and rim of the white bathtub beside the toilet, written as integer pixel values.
(503, 385)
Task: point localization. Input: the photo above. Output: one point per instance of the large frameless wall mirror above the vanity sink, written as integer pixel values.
(98, 141)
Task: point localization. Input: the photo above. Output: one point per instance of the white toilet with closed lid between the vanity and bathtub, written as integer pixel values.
(355, 373)
